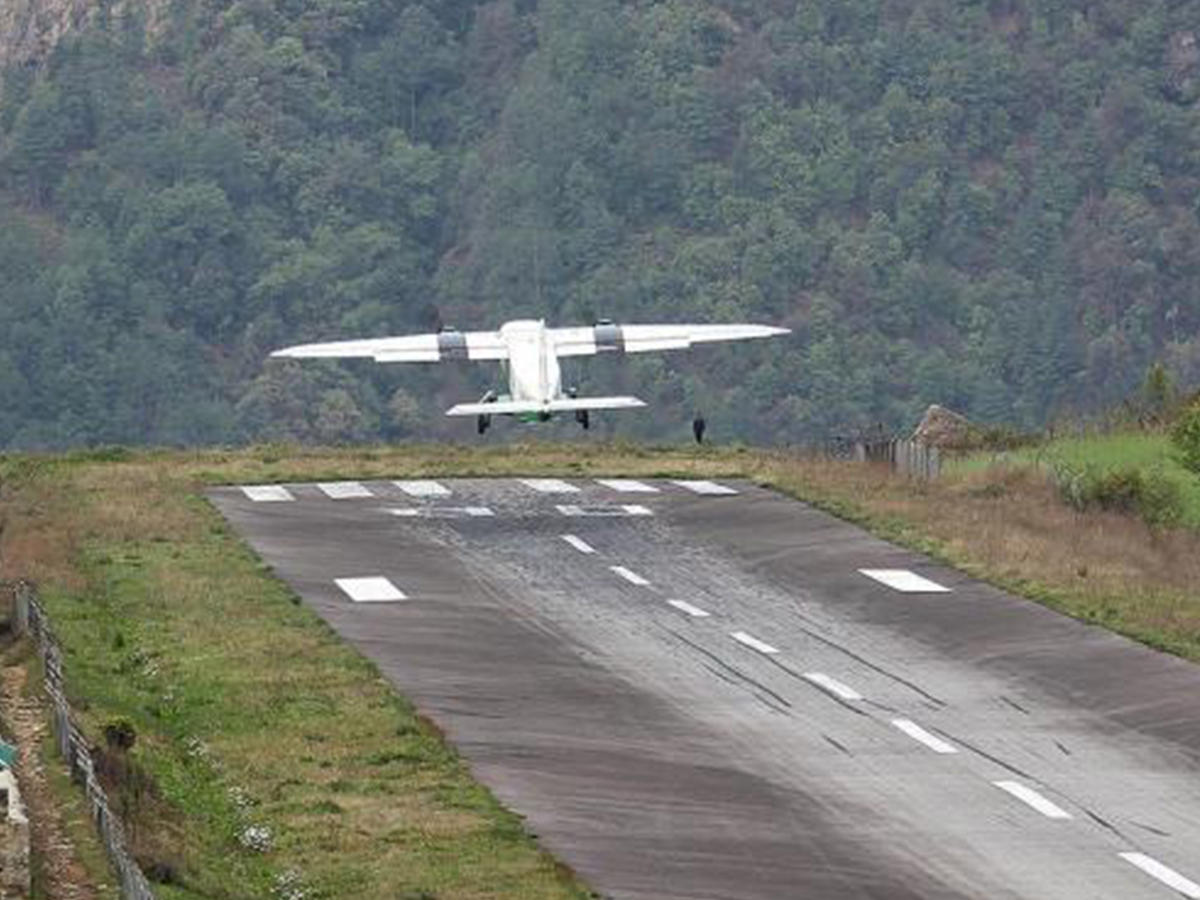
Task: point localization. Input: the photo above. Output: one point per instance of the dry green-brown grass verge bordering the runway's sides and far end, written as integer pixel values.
(271, 760)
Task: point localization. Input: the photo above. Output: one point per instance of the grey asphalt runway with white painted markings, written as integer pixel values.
(694, 694)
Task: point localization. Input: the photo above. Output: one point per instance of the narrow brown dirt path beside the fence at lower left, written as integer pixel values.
(58, 871)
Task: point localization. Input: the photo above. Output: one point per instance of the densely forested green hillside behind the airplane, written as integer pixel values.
(991, 206)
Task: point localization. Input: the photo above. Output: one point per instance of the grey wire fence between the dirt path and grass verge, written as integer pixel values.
(31, 619)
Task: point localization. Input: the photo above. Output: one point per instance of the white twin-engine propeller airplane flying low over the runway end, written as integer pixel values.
(531, 352)
